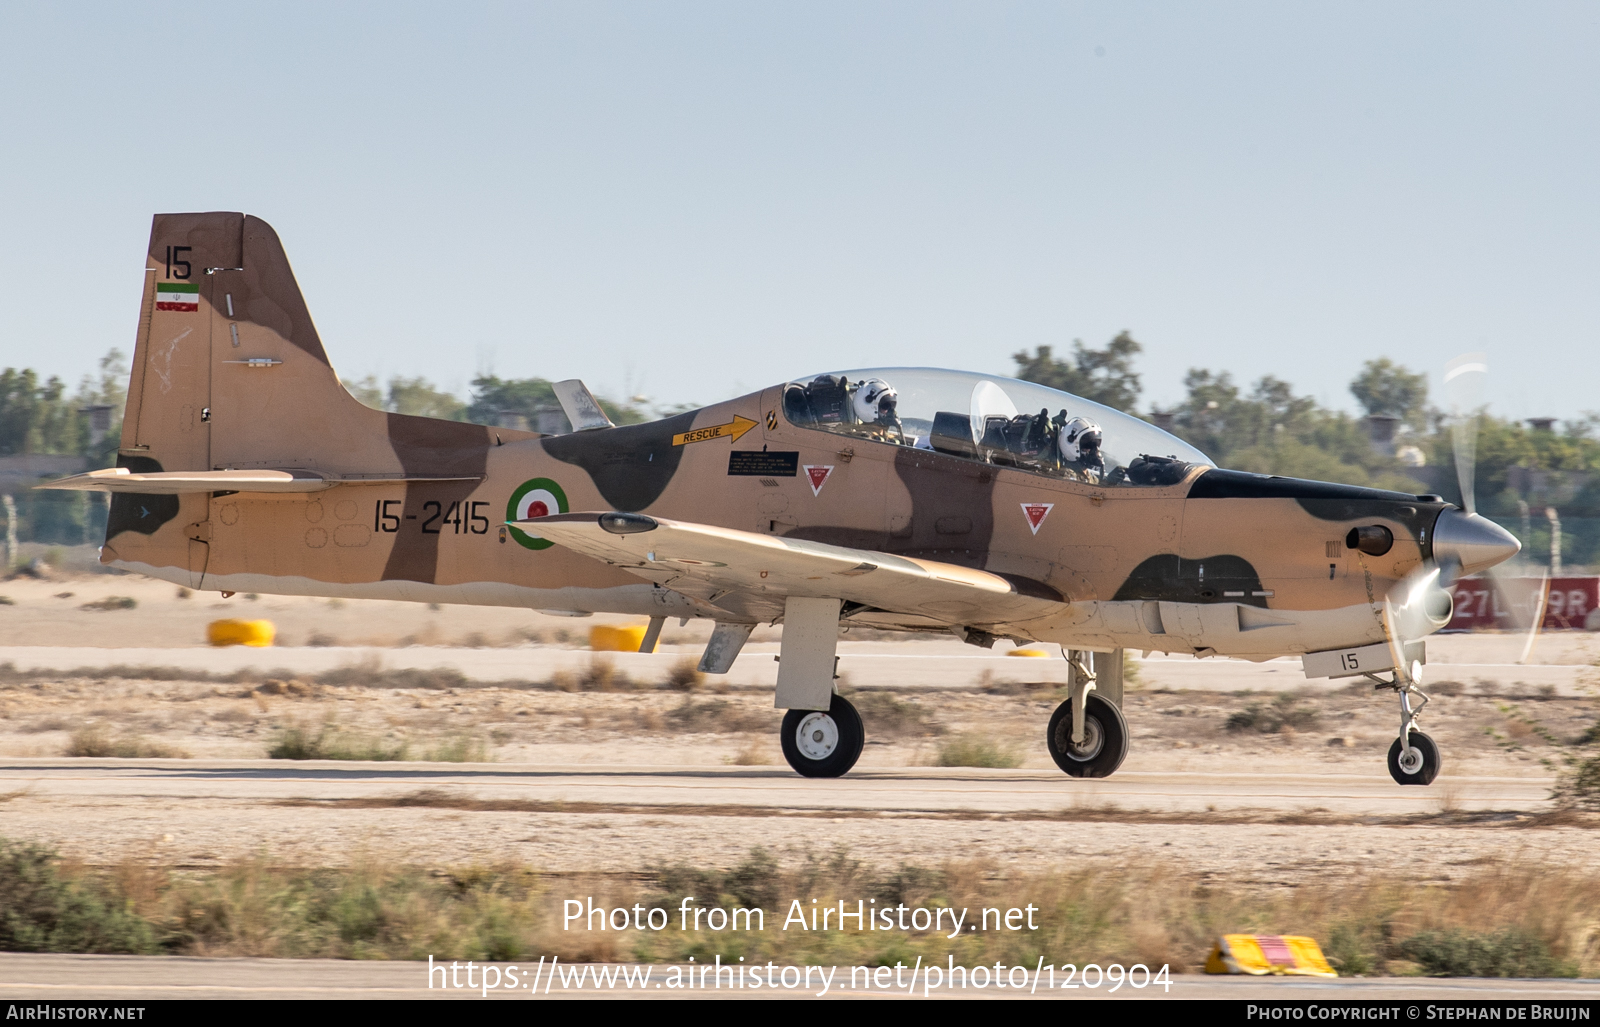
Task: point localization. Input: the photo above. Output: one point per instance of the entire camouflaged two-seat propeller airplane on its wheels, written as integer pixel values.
(897, 498)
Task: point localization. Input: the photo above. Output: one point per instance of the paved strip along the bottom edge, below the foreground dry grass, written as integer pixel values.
(129, 980)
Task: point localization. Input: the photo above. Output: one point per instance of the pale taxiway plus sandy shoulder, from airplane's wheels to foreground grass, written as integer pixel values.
(1268, 829)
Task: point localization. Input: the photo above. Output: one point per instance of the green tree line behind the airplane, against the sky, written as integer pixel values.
(1265, 426)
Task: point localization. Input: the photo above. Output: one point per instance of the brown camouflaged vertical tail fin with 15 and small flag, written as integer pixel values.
(230, 374)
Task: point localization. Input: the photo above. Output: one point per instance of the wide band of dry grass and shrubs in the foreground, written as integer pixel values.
(1497, 922)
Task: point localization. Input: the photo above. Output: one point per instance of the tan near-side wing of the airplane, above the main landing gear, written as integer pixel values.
(764, 567)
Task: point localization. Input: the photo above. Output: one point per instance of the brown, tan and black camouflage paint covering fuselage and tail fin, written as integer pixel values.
(1145, 569)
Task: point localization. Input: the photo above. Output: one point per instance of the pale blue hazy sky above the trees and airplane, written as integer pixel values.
(698, 199)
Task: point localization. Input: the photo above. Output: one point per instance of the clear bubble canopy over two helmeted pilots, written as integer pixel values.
(993, 420)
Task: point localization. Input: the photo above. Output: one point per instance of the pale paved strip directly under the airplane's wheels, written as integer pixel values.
(668, 789)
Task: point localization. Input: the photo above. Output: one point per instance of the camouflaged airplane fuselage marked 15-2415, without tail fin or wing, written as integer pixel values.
(1210, 562)
